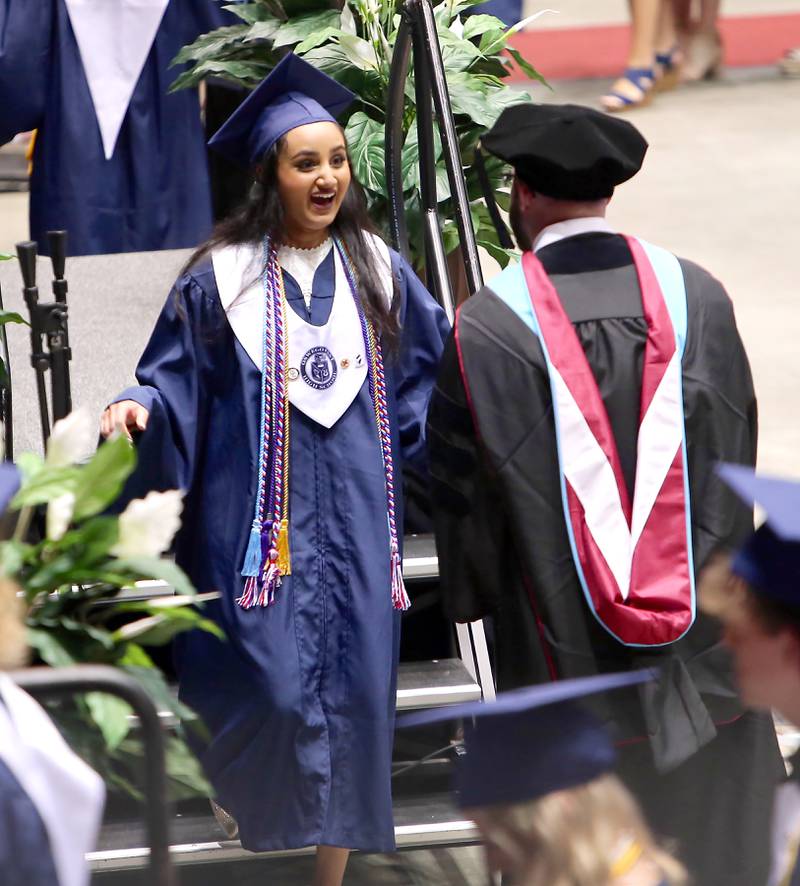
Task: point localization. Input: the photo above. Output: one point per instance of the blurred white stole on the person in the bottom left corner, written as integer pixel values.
(67, 794)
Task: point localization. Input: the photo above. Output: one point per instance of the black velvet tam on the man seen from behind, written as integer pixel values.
(569, 152)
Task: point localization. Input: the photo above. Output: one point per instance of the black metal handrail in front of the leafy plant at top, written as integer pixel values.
(418, 27)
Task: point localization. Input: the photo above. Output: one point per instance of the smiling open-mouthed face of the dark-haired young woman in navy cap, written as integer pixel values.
(313, 175)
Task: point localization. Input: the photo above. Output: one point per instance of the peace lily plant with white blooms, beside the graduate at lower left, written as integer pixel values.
(69, 586)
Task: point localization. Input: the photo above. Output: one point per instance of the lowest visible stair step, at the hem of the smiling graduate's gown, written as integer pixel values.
(425, 820)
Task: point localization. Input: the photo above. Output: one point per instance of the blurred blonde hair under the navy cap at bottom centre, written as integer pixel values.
(574, 837)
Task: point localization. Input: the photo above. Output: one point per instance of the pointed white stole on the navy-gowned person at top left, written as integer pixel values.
(114, 38)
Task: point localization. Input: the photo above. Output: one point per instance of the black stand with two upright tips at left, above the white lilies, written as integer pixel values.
(48, 323)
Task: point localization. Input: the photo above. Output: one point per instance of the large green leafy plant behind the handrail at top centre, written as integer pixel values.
(353, 44)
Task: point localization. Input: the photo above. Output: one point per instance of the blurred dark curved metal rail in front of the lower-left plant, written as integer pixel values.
(59, 682)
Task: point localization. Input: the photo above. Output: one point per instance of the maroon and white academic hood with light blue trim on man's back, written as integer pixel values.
(633, 559)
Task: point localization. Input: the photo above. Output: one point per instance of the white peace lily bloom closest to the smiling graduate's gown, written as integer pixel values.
(147, 525)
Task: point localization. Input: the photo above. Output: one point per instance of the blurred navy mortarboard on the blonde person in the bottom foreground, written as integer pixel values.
(532, 741)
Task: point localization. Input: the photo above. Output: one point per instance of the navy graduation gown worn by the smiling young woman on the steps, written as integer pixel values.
(300, 701)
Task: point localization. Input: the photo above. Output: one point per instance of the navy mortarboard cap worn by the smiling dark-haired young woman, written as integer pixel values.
(293, 94)
